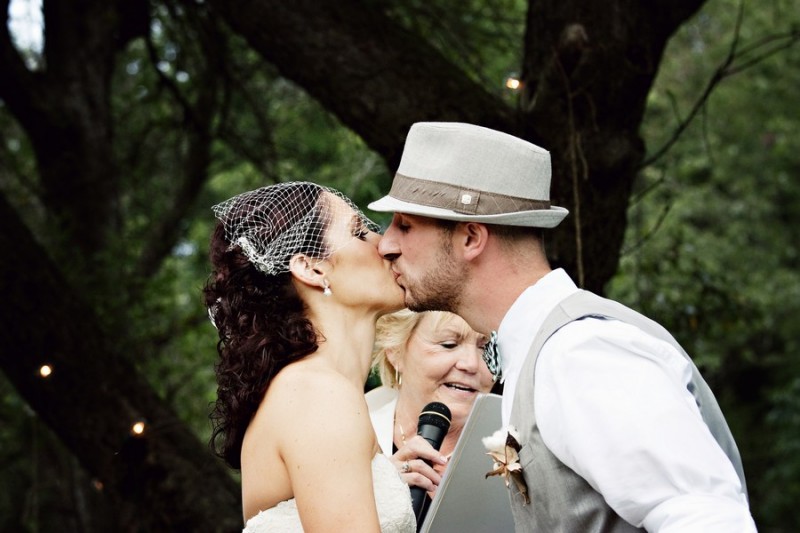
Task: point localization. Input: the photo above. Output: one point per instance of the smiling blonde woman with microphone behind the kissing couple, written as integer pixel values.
(421, 358)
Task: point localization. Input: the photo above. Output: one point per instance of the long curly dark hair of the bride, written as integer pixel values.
(262, 328)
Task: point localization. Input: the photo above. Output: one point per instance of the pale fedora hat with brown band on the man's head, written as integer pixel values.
(469, 173)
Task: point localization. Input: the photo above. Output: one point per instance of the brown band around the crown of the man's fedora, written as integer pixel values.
(460, 199)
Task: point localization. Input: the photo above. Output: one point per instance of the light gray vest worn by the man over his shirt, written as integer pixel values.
(561, 500)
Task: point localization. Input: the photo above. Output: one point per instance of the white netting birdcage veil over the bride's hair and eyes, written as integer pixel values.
(273, 223)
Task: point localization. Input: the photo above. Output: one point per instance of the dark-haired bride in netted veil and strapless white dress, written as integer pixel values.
(296, 288)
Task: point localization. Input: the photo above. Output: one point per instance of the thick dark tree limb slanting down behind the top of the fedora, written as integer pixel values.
(339, 53)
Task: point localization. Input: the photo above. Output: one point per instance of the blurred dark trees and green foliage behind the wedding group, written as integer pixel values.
(675, 136)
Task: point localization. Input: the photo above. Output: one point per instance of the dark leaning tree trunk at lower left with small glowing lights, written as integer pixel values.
(162, 479)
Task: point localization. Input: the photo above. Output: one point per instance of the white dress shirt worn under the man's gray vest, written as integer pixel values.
(612, 404)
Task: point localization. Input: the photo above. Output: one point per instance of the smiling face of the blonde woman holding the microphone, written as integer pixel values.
(442, 362)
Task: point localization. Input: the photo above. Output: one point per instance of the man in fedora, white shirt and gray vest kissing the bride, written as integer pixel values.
(618, 430)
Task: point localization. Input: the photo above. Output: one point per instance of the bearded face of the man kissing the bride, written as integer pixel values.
(421, 252)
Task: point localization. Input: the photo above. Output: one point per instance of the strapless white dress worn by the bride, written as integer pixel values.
(392, 498)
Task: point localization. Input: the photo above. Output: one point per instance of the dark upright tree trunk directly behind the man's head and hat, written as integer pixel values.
(587, 71)
